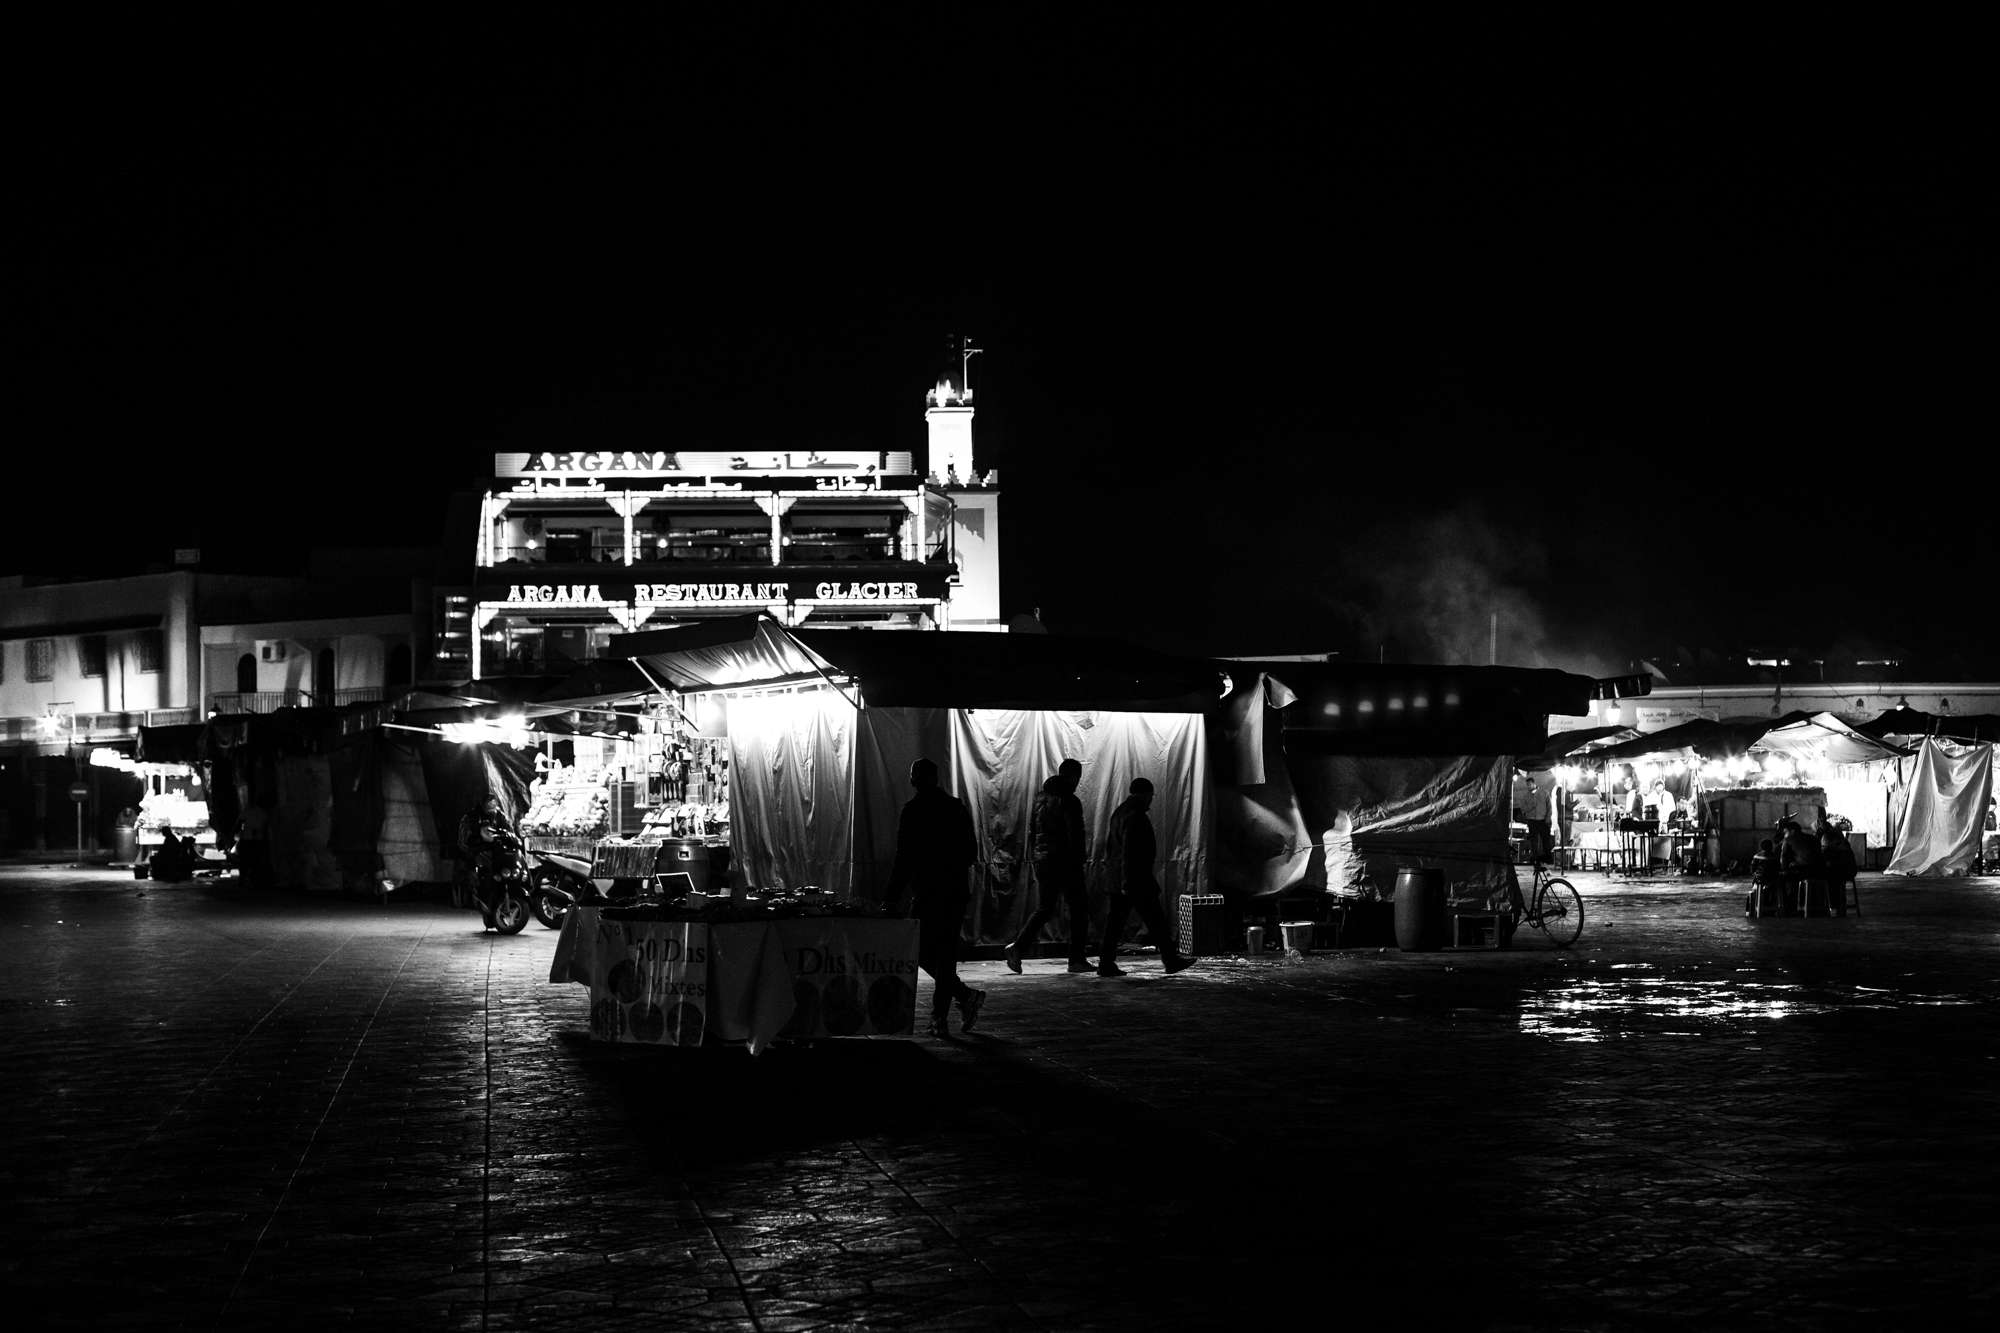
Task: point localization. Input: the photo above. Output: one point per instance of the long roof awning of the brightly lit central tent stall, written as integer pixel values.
(949, 670)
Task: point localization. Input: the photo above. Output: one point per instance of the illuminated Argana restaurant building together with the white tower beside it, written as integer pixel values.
(573, 547)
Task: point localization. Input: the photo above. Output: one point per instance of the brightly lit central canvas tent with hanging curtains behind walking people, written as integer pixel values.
(823, 728)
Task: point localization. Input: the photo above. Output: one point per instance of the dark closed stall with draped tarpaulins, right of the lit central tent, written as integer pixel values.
(1333, 778)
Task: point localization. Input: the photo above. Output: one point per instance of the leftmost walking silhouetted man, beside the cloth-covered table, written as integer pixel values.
(931, 882)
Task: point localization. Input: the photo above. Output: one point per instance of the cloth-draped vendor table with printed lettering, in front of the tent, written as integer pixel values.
(755, 982)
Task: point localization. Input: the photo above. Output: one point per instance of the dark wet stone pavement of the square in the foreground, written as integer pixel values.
(295, 1112)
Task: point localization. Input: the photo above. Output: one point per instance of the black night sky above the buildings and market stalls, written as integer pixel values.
(1295, 339)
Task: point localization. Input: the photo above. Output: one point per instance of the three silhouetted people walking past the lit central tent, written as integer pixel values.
(937, 848)
